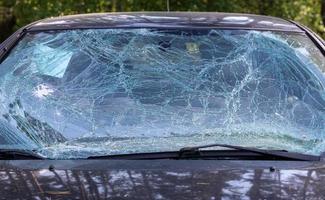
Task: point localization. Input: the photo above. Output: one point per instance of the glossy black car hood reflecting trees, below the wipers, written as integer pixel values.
(161, 179)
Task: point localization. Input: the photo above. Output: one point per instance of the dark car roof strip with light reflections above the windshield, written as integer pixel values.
(166, 20)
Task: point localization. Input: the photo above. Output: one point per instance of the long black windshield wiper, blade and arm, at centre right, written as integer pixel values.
(195, 152)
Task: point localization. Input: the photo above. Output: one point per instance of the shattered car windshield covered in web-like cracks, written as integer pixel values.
(80, 93)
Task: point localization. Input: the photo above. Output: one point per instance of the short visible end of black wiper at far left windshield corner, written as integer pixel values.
(18, 154)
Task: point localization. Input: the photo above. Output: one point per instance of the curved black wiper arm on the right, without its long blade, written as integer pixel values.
(188, 151)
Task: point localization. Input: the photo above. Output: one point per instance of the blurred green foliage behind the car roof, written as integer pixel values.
(17, 13)
